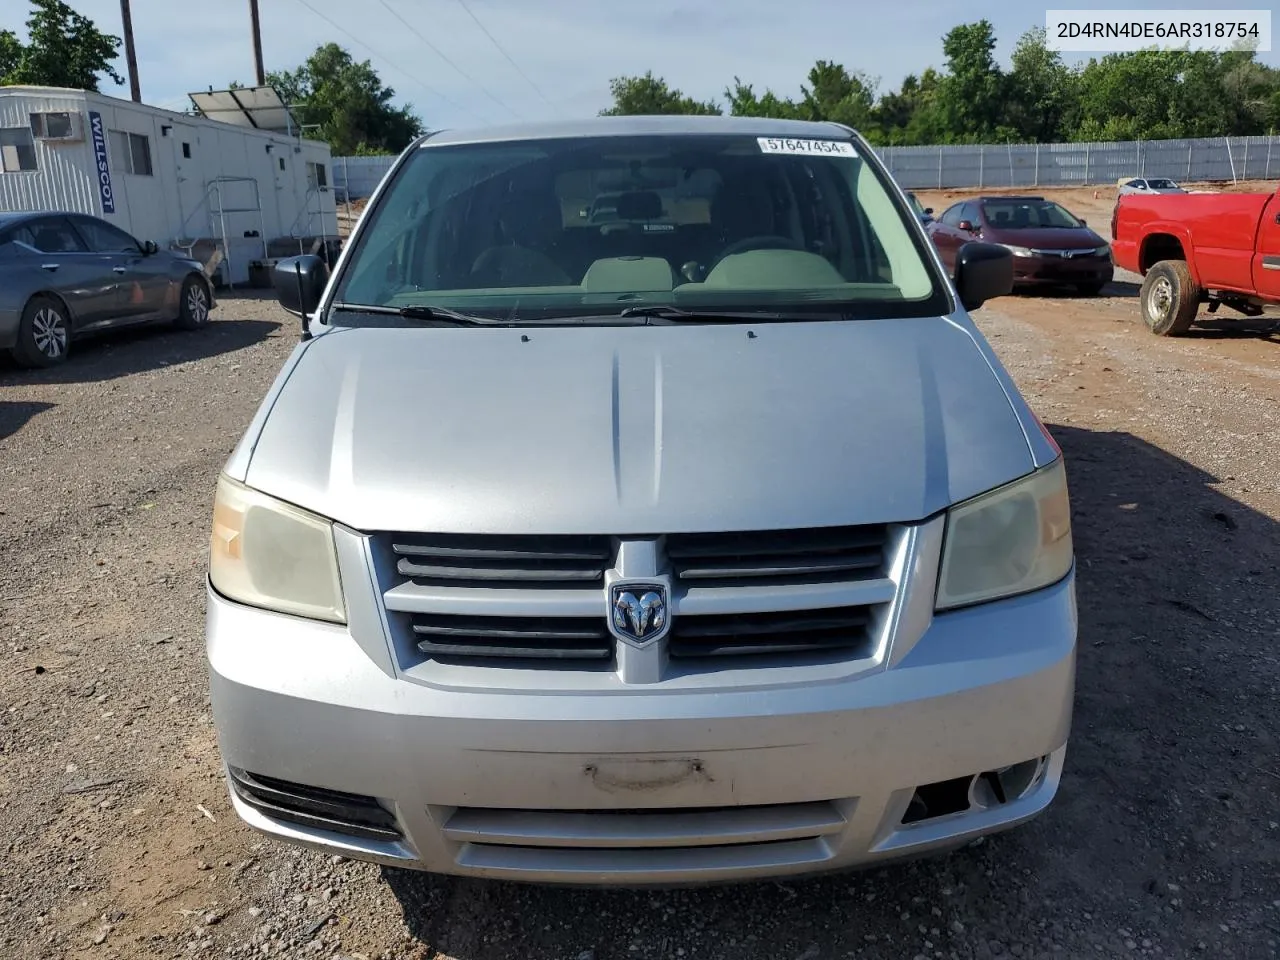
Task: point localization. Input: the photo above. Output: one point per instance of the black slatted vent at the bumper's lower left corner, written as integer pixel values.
(333, 811)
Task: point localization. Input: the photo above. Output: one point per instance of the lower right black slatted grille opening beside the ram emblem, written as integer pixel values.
(839, 630)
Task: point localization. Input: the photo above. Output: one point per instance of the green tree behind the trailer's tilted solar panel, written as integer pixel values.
(346, 104)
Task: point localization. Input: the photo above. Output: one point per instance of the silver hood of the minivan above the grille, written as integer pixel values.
(638, 429)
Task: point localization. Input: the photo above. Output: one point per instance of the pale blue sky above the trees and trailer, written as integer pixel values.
(568, 49)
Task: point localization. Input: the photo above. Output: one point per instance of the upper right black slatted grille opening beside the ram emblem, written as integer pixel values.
(779, 556)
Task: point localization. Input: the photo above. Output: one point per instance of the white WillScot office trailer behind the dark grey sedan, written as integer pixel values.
(235, 195)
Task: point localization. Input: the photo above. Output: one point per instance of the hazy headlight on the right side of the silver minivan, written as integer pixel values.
(1008, 542)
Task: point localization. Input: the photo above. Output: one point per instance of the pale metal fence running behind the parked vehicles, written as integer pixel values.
(1007, 164)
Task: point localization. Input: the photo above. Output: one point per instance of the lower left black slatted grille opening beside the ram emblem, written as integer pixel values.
(540, 638)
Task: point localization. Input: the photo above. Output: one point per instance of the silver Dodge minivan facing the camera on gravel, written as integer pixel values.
(705, 542)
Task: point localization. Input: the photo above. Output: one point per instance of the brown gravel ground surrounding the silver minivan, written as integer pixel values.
(117, 836)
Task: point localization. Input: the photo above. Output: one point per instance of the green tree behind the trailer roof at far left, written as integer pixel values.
(63, 49)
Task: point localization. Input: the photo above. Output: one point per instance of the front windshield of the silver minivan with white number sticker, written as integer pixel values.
(577, 227)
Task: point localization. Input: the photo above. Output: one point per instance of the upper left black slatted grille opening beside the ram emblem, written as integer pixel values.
(504, 561)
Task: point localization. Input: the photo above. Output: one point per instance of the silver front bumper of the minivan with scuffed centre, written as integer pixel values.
(650, 785)
